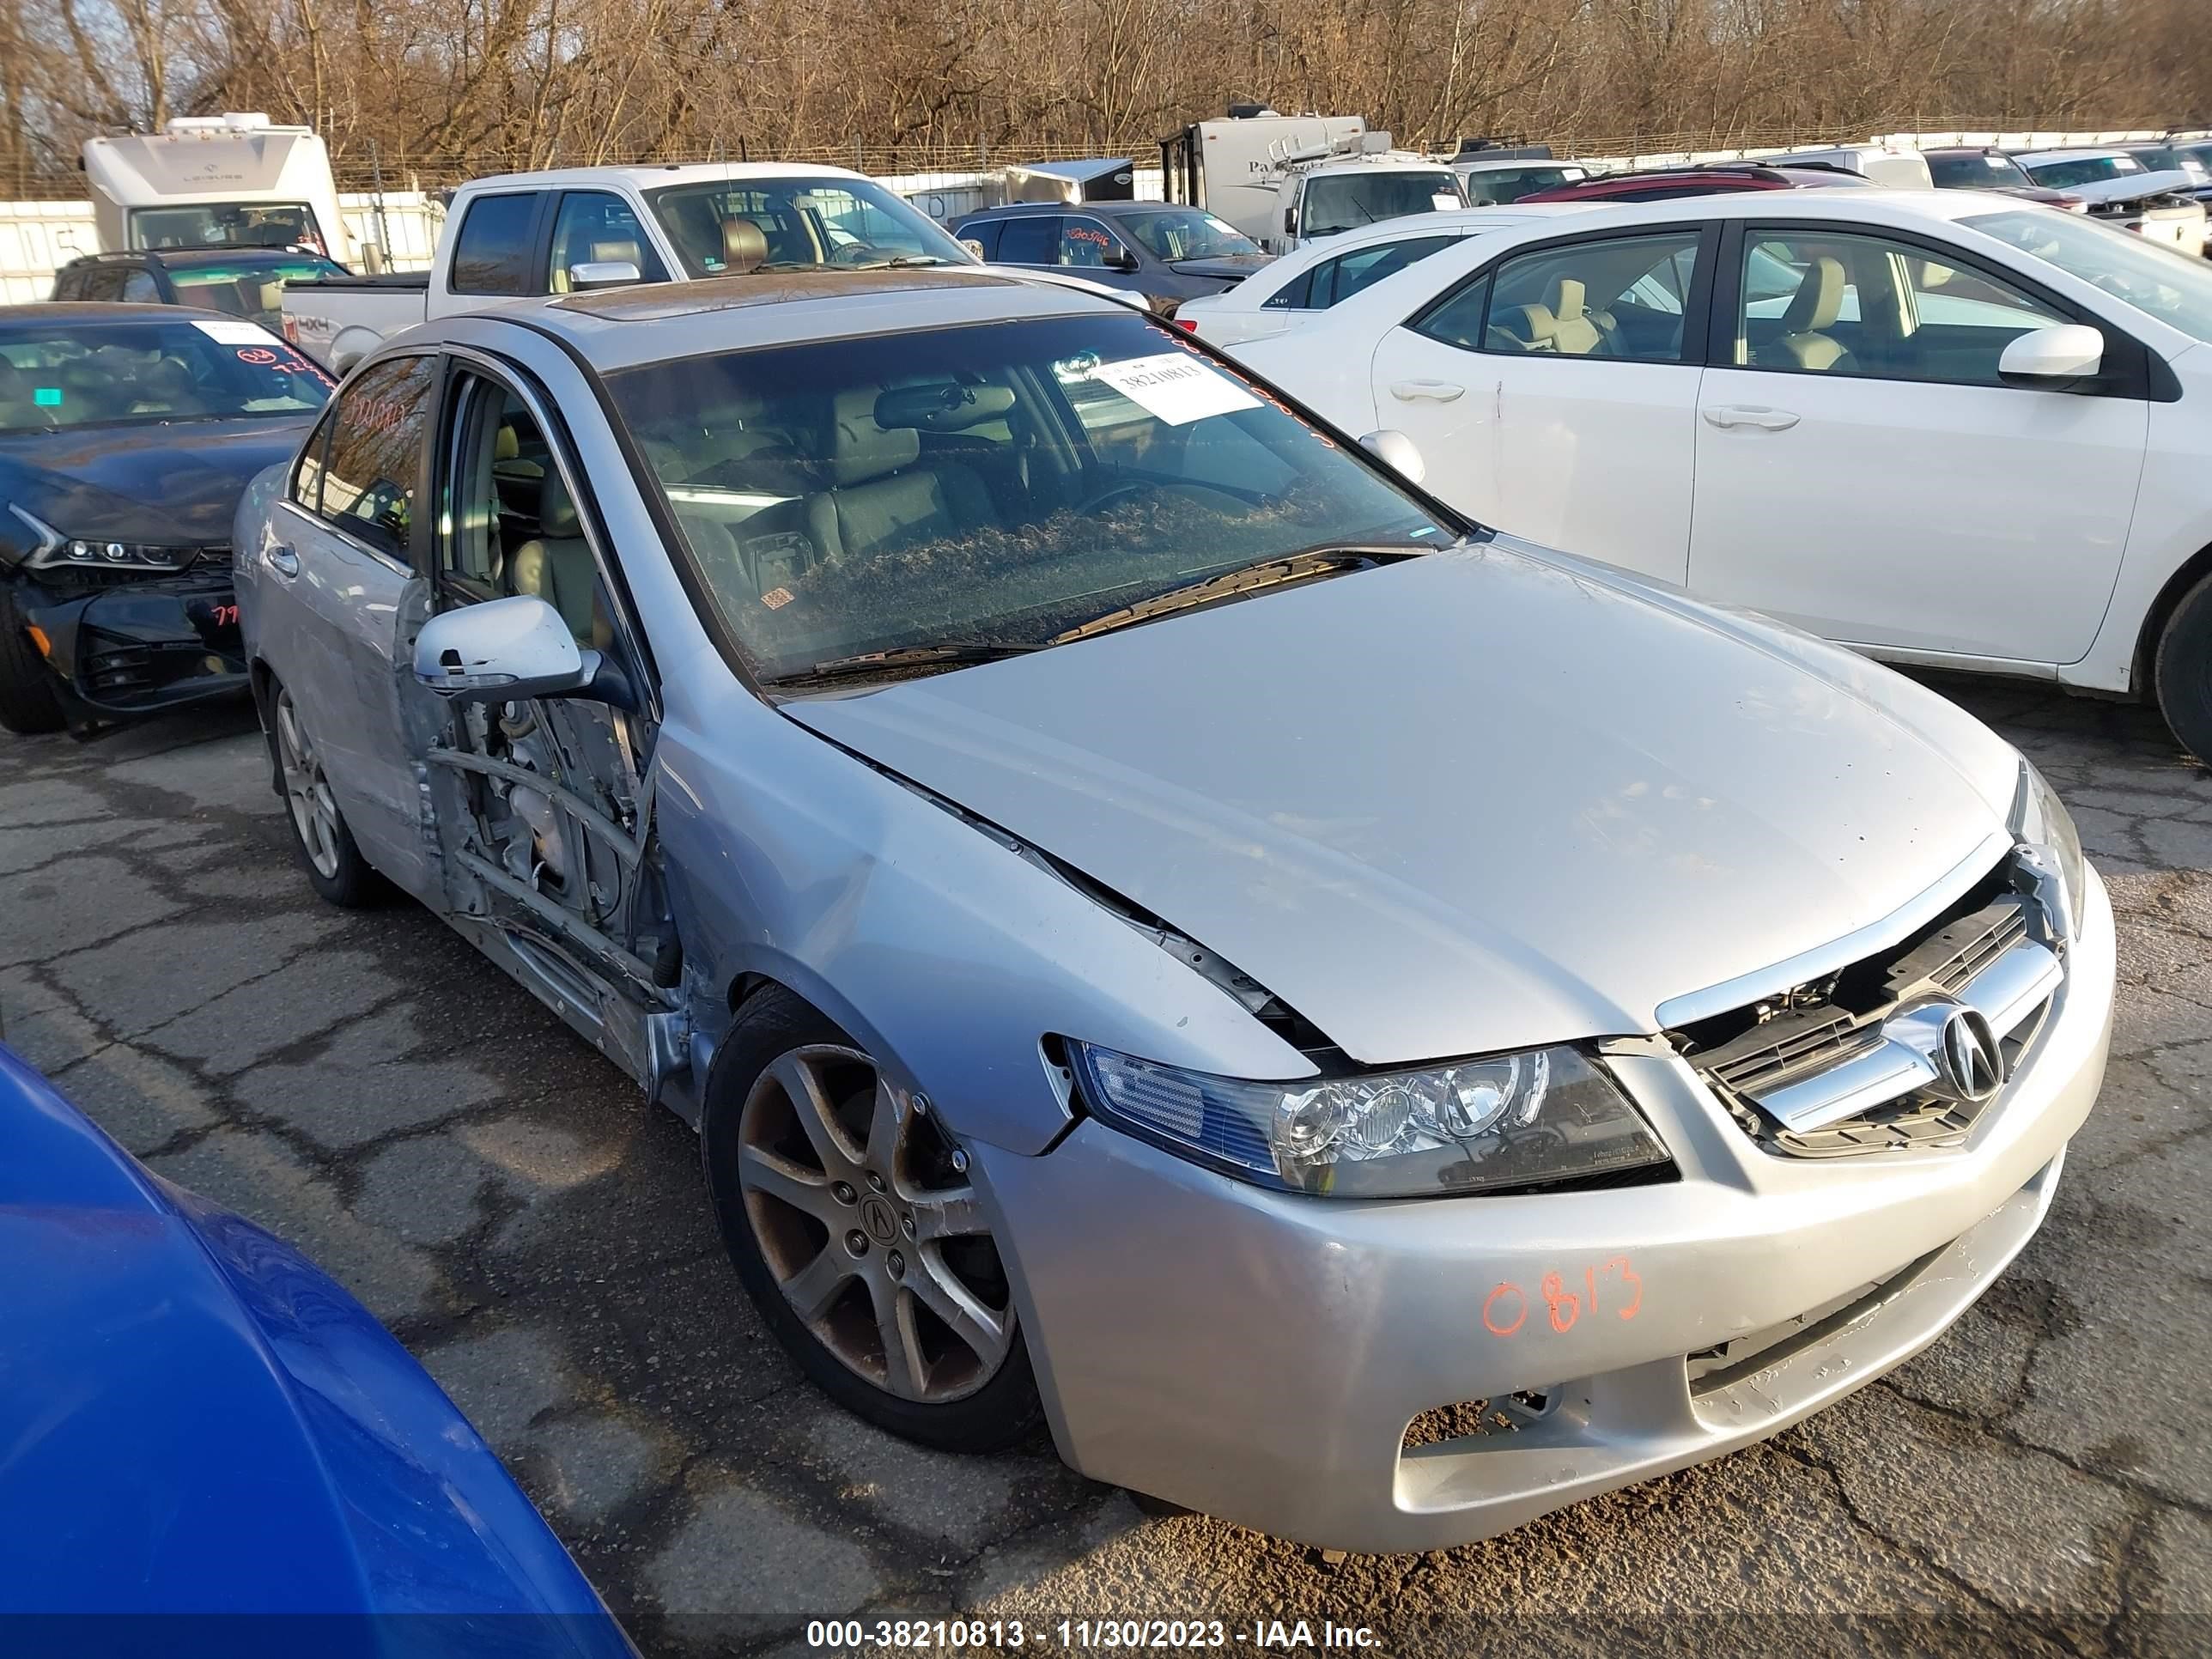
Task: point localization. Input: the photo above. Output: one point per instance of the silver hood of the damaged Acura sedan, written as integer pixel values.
(1468, 802)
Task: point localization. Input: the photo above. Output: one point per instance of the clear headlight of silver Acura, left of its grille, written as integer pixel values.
(1470, 1127)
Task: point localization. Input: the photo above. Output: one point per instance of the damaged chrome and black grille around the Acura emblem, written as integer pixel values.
(1828, 1072)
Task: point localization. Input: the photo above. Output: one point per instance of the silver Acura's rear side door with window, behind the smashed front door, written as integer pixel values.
(340, 589)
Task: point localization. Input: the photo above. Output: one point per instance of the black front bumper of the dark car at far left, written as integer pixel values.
(145, 645)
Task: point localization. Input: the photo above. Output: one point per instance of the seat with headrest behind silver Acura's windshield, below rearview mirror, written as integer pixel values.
(881, 501)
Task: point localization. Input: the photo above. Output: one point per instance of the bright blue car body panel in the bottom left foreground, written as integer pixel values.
(194, 1419)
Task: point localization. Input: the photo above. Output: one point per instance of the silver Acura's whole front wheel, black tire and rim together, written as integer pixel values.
(853, 1227)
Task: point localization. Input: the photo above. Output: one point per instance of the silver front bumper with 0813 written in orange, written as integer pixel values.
(1260, 1357)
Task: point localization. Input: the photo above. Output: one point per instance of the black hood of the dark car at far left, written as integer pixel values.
(143, 483)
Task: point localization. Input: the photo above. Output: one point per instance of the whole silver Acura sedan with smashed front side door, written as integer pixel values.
(1361, 1025)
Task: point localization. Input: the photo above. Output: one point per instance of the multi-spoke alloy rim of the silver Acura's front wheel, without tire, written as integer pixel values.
(866, 1218)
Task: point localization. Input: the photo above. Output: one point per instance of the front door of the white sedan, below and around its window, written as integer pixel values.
(1866, 474)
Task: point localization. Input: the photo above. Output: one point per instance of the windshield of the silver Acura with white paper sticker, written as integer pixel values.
(994, 483)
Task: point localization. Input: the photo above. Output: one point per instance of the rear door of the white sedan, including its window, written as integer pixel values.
(1554, 393)
